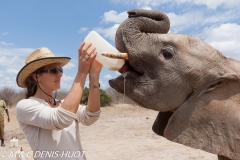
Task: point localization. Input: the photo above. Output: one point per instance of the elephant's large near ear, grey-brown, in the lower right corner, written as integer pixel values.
(210, 121)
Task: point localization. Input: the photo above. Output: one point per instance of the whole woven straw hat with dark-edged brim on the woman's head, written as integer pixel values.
(37, 59)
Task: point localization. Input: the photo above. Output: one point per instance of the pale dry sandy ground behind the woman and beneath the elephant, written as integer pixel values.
(123, 132)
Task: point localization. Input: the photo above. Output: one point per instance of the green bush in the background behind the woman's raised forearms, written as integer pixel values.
(105, 99)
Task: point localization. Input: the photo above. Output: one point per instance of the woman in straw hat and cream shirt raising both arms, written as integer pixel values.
(51, 127)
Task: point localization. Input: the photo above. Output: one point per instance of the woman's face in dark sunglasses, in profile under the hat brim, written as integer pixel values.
(50, 77)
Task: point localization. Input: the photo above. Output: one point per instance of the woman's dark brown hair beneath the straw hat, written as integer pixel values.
(31, 84)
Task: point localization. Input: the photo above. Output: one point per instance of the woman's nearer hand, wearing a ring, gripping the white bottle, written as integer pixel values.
(84, 51)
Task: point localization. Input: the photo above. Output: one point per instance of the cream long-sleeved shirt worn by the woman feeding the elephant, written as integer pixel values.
(53, 133)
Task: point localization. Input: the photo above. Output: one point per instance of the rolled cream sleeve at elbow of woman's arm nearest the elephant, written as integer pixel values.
(86, 117)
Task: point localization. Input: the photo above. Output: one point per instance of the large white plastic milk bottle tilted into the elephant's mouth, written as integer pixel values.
(103, 46)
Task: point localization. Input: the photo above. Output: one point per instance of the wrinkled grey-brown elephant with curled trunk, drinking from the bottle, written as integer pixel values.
(193, 86)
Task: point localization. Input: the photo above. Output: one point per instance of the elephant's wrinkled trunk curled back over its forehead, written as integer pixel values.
(139, 24)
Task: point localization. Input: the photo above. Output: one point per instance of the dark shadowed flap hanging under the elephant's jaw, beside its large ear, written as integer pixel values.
(161, 122)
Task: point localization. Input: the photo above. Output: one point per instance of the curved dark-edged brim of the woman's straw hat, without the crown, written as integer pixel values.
(36, 64)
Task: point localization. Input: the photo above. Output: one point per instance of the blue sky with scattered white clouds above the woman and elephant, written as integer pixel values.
(26, 25)
